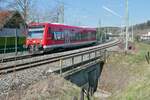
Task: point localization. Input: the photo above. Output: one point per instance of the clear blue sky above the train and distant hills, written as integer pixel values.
(89, 12)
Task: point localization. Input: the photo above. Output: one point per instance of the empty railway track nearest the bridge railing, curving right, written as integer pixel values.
(19, 67)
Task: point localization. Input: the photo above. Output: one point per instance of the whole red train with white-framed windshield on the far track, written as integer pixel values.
(44, 37)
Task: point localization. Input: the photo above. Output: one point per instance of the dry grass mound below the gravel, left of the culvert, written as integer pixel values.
(53, 88)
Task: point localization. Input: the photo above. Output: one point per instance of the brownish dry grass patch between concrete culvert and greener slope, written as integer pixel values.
(115, 75)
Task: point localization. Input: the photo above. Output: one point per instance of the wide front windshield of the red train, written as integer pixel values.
(36, 32)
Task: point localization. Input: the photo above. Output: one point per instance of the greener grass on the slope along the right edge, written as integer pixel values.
(139, 86)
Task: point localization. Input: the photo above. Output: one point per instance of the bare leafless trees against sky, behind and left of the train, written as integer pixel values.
(30, 11)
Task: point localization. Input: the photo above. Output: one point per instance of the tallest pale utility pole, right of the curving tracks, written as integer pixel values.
(127, 25)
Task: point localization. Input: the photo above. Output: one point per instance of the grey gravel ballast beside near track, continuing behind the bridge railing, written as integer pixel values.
(22, 79)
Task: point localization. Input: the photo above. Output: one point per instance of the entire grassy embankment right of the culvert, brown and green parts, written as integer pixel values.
(127, 77)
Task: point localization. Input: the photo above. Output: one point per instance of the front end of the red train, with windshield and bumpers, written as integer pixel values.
(34, 41)
